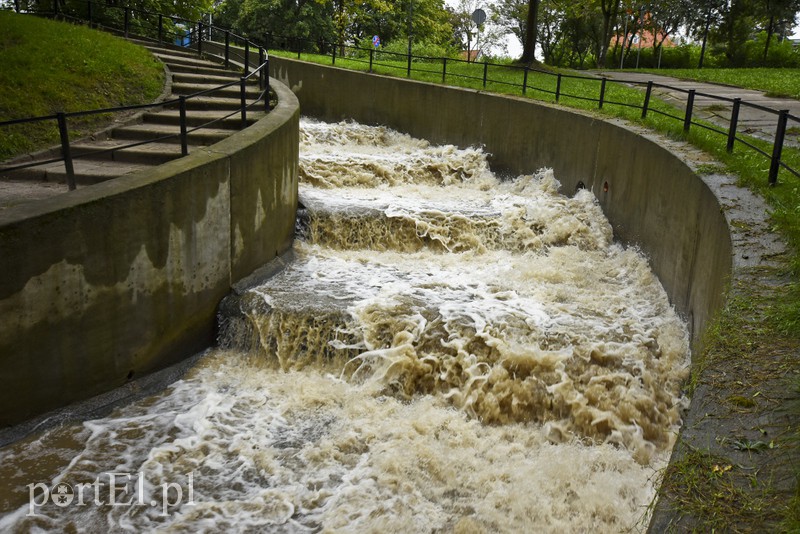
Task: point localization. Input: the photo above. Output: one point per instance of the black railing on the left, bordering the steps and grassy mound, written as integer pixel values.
(162, 30)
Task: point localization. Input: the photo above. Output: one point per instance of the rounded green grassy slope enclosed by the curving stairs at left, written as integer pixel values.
(49, 66)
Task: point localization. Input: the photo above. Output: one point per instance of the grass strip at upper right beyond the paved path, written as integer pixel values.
(774, 82)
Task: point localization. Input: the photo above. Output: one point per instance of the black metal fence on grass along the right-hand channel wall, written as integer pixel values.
(438, 67)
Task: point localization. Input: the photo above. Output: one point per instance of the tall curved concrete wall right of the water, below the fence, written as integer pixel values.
(651, 196)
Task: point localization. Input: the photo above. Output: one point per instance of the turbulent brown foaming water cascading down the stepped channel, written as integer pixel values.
(446, 352)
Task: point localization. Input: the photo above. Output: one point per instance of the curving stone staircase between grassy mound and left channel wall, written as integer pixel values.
(103, 156)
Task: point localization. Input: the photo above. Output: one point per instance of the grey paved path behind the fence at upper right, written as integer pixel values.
(752, 121)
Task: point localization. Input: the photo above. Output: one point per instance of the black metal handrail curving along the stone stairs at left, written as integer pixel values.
(194, 37)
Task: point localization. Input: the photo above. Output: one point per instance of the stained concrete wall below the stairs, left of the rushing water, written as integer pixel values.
(116, 280)
